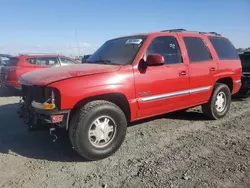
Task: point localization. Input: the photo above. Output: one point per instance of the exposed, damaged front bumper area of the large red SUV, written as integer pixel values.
(44, 119)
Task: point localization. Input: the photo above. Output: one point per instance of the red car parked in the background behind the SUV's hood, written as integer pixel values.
(21, 64)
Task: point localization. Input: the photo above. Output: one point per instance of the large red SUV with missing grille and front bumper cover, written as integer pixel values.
(132, 78)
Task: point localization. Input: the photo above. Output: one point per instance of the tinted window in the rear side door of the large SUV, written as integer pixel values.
(197, 49)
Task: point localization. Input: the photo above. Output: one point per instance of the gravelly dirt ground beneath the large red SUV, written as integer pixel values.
(181, 149)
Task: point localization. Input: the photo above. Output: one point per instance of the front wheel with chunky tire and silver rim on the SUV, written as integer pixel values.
(84, 121)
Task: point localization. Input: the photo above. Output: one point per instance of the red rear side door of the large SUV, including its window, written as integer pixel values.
(203, 67)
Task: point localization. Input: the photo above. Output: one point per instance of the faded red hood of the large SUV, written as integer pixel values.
(54, 74)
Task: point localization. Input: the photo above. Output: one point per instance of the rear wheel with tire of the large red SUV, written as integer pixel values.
(210, 109)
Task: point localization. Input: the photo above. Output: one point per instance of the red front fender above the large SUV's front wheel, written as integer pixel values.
(77, 89)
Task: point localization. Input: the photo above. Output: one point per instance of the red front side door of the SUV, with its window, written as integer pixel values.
(162, 88)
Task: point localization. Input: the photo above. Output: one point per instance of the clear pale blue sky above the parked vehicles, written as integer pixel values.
(78, 27)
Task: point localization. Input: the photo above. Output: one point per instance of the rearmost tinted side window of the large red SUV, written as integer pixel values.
(224, 48)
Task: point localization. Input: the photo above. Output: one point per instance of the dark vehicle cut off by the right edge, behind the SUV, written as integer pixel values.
(245, 61)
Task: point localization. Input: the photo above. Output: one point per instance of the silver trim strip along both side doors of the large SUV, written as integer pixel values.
(175, 94)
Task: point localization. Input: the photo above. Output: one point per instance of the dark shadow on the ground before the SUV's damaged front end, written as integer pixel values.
(15, 139)
